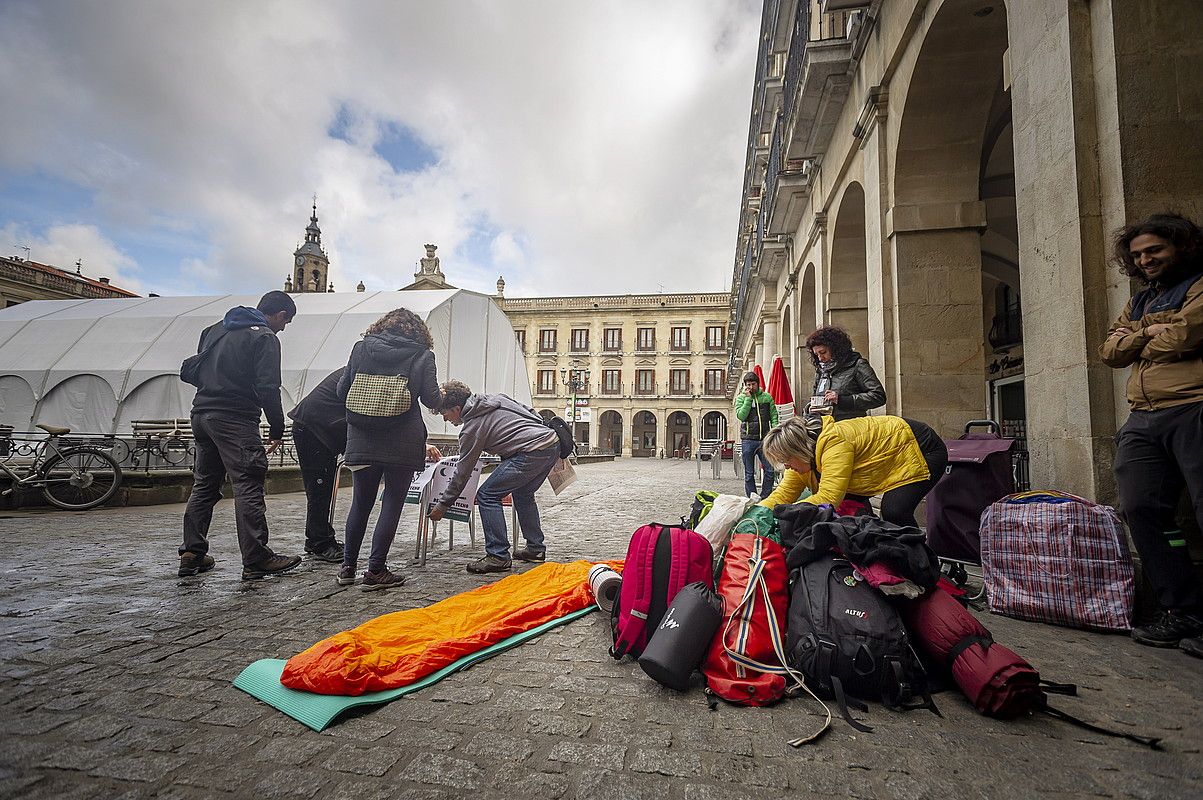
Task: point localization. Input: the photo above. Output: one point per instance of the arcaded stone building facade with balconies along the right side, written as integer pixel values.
(941, 177)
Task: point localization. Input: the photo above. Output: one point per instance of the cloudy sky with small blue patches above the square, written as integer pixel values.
(571, 146)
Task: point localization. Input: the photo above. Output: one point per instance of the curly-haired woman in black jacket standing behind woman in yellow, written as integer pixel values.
(845, 383)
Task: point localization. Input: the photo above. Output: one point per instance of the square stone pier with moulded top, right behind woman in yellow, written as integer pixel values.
(938, 263)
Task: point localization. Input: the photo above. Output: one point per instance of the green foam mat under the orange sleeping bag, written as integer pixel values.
(262, 680)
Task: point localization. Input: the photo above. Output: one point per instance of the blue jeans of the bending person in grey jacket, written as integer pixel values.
(520, 476)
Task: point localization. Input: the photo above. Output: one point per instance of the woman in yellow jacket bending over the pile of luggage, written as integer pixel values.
(860, 458)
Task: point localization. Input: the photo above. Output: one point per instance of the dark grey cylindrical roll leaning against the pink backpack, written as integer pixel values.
(680, 643)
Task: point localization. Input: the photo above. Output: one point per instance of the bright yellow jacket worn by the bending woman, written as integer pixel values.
(867, 457)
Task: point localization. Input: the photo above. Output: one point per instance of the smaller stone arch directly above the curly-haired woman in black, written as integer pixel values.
(848, 299)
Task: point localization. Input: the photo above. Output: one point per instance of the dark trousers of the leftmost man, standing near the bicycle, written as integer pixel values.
(228, 443)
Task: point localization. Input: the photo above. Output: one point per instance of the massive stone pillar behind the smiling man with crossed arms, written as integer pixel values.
(1107, 127)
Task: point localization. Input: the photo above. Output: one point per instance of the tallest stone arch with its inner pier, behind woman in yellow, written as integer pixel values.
(953, 173)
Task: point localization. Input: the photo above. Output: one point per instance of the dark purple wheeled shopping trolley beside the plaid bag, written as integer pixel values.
(980, 472)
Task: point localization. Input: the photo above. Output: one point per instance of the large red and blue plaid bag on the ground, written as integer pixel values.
(1059, 559)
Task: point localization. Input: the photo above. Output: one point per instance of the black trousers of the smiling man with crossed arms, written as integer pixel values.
(1158, 454)
